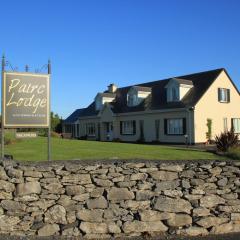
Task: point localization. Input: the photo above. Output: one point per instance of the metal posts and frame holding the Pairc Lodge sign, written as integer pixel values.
(3, 125)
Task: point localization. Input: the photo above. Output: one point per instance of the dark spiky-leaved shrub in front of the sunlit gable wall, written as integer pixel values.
(226, 140)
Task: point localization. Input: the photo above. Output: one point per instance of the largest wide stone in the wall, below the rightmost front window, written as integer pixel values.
(172, 205)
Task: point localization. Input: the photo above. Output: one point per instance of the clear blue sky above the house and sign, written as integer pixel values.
(93, 43)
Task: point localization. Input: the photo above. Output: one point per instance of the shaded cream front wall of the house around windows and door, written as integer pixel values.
(148, 127)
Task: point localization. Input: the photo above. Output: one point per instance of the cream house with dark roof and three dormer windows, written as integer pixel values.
(174, 110)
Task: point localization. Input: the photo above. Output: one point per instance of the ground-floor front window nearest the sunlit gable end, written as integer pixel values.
(175, 126)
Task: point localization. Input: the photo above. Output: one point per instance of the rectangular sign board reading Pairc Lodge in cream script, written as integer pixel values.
(26, 100)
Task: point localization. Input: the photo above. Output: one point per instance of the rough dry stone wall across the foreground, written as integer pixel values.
(117, 199)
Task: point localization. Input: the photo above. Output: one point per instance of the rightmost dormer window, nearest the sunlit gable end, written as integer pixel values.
(177, 88)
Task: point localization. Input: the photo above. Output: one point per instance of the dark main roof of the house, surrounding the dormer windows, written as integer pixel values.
(157, 99)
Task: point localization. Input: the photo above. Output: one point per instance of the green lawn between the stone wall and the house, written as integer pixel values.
(62, 149)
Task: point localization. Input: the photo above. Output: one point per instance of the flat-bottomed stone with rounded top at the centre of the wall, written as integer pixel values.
(118, 194)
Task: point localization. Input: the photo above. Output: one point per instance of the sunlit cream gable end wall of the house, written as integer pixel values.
(216, 110)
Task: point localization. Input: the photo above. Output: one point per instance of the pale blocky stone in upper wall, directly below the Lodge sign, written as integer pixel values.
(28, 188)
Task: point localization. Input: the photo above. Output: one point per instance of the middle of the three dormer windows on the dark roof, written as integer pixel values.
(137, 94)
